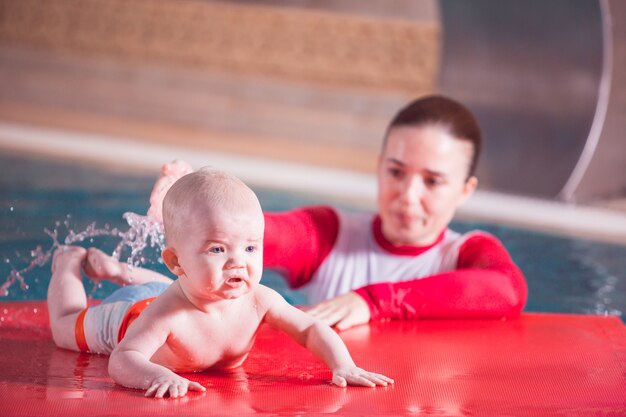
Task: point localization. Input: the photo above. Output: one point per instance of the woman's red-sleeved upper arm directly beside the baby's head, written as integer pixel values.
(297, 242)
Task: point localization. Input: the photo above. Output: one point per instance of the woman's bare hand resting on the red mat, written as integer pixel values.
(343, 312)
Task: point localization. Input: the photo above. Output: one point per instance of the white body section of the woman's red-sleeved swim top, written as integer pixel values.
(357, 260)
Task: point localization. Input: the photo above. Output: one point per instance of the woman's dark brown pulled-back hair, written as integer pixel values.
(443, 111)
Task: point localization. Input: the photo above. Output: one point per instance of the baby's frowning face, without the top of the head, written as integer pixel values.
(221, 252)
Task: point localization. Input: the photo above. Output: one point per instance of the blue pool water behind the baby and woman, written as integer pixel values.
(568, 275)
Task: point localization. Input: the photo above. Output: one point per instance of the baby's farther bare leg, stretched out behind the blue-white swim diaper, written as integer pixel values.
(99, 265)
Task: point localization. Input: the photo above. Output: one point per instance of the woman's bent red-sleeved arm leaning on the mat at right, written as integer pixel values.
(487, 284)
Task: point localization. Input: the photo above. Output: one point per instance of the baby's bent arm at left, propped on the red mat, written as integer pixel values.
(130, 364)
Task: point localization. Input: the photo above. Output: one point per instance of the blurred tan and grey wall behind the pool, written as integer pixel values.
(316, 82)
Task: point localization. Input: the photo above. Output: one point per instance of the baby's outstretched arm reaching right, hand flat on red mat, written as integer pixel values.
(320, 339)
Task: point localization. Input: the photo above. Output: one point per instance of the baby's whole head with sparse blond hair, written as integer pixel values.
(214, 233)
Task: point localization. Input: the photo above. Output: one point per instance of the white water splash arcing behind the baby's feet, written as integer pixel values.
(143, 232)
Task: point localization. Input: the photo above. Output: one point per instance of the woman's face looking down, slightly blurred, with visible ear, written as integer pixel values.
(422, 180)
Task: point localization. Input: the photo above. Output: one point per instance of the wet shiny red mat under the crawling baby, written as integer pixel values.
(538, 365)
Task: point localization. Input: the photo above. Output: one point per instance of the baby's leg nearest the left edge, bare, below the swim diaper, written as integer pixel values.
(66, 294)
